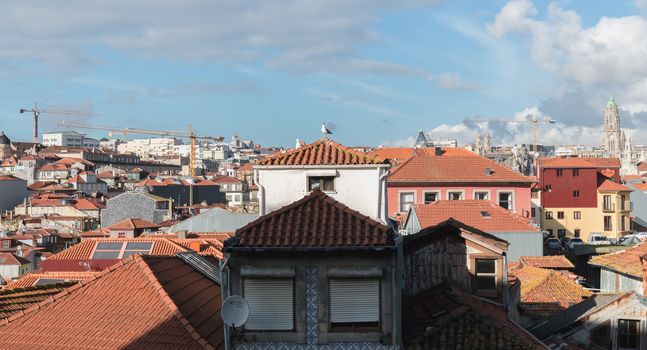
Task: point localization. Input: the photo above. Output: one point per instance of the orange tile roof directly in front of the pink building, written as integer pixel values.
(470, 212)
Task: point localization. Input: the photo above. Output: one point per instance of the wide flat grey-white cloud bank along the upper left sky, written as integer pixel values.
(290, 34)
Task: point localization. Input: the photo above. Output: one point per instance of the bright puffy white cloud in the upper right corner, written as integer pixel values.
(607, 57)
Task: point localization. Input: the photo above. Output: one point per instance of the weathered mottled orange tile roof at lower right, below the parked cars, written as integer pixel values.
(546, 290)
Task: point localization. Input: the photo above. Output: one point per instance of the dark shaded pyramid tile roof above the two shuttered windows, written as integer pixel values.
(315, 221)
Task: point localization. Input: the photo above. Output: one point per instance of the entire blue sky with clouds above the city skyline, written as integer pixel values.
(378, 70)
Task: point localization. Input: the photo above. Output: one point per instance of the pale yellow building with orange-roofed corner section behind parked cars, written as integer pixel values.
(611, 217)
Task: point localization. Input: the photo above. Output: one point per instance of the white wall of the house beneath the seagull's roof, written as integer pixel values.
(358, 187)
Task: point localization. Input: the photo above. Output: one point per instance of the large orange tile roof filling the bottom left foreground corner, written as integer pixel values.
(146, 303)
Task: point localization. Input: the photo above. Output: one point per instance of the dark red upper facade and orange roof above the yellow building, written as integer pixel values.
(574, 182)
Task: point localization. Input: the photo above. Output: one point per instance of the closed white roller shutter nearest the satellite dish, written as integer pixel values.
(271, 304)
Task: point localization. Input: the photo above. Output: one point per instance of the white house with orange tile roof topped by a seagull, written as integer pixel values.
(351, 177)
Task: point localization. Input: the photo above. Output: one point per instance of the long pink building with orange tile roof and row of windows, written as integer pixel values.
(425, 175)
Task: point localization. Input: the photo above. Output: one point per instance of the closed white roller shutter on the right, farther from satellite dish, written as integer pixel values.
(354, 300)
